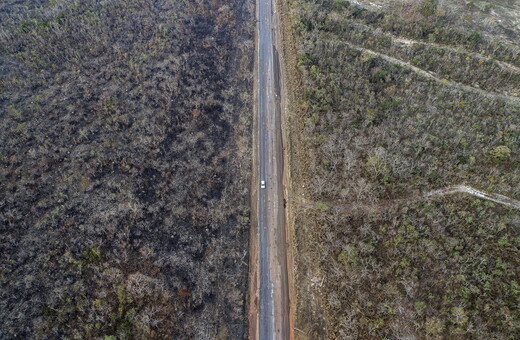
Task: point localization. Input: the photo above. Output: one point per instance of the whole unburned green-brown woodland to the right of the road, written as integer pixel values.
(388, 106)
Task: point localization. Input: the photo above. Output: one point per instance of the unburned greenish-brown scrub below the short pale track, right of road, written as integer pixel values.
(431, 270)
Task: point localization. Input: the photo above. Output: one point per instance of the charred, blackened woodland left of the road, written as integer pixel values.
(125, 161)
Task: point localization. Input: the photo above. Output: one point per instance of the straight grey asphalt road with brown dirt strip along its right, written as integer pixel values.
(274, 303)
